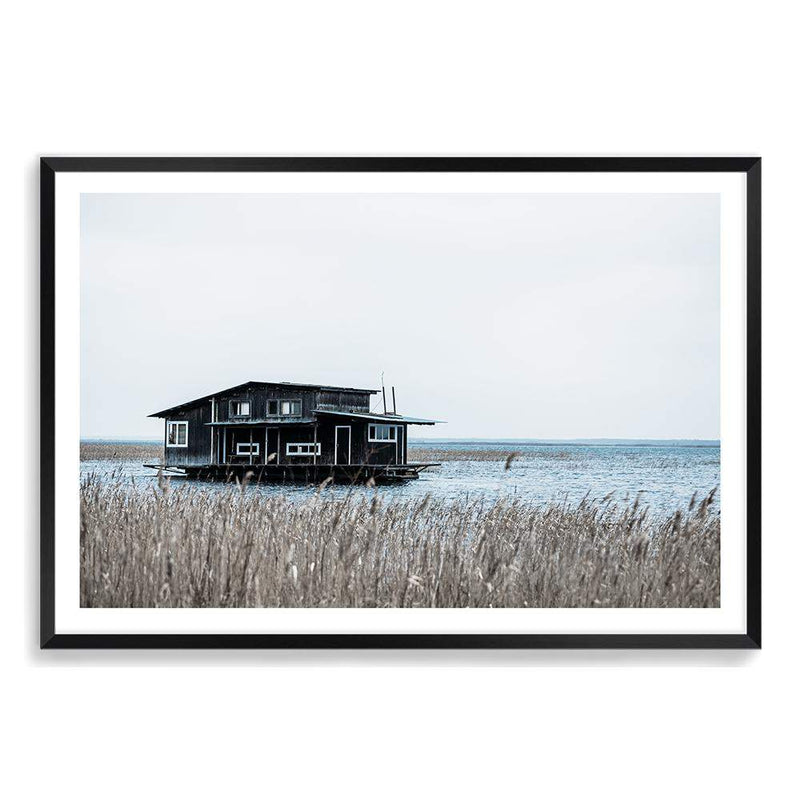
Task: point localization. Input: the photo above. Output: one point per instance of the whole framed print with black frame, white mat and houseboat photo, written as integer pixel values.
(400, 402)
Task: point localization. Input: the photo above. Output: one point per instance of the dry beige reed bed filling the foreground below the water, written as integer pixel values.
(184, 547)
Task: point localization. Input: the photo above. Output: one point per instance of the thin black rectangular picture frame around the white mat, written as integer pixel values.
(51, 166)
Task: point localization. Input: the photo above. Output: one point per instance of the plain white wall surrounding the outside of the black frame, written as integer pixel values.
(616, 78)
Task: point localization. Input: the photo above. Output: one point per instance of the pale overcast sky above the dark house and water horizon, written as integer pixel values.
(513, 316)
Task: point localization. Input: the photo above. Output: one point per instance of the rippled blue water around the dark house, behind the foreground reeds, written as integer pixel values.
(664, 475)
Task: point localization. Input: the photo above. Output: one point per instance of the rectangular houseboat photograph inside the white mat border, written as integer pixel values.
(538, 424)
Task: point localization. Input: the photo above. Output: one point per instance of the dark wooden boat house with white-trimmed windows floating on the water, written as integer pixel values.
(291, 431)
